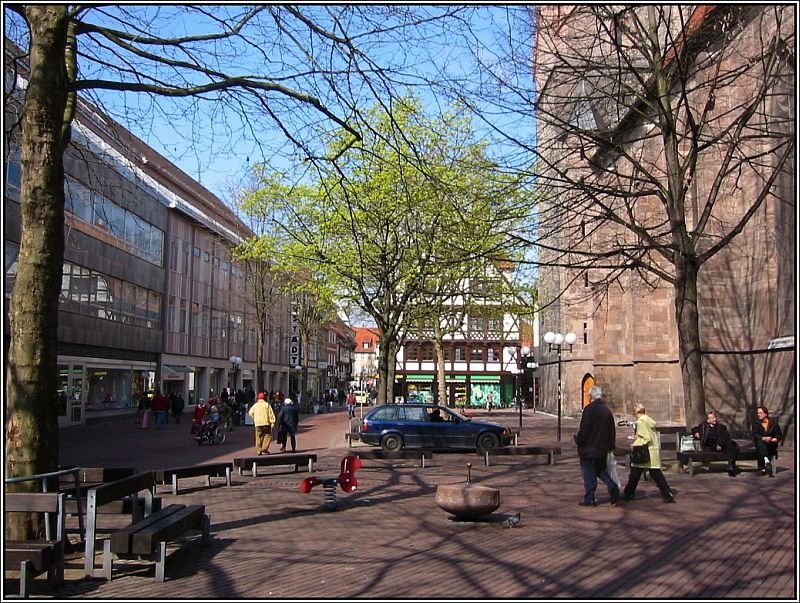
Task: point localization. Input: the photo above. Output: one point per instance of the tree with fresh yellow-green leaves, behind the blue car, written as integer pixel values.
(416, 198)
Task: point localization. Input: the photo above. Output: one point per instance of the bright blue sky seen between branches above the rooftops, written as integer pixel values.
(216, 146)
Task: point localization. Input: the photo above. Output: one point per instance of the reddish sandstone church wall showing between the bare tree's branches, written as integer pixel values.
(627, 339)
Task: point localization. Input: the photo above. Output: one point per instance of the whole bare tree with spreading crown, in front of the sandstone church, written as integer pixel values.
(661, 142)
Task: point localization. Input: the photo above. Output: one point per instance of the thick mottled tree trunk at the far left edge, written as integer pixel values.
(32, 370)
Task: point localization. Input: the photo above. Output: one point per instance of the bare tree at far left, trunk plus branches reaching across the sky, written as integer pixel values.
(299, 68)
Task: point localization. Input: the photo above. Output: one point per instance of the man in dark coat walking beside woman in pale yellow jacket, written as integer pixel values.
(596, 437)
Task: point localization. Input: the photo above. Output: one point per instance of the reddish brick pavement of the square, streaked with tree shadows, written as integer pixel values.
(725, 537)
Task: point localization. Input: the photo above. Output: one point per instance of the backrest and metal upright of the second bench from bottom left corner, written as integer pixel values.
(99, 496)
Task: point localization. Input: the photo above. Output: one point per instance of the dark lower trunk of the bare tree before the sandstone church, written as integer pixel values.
(691, 358)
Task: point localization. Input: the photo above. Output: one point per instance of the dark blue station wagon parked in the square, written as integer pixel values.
(397, 426)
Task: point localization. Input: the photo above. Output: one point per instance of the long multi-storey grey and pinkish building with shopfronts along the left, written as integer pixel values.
(151, 298)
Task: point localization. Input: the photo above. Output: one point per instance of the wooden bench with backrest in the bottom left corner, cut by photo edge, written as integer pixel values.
(35, 557)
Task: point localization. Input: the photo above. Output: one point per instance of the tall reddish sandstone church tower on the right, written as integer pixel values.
(631, 191)
